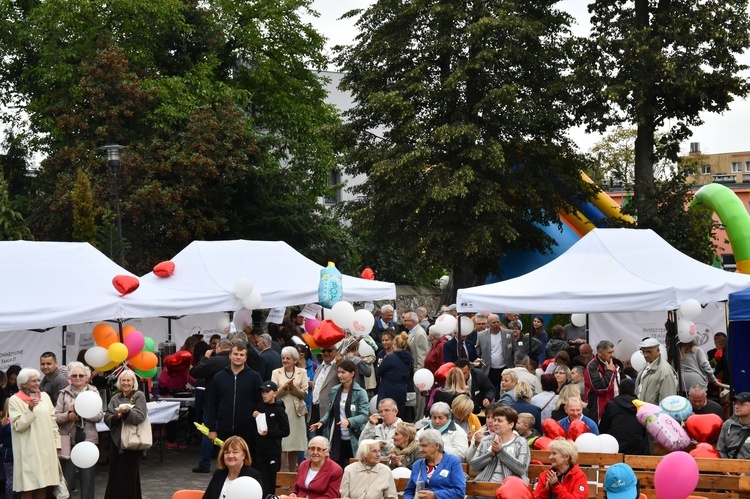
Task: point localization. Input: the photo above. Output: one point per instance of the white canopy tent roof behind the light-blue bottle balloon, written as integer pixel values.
(208, 271)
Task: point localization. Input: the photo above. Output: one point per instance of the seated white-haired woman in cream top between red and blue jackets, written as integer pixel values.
(368, 478)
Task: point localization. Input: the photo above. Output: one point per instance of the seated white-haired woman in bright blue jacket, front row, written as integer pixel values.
(438, 474)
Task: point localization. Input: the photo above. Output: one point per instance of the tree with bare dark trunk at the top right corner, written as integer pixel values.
(660, 63)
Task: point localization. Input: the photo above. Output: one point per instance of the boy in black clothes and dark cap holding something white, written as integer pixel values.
(269, 443)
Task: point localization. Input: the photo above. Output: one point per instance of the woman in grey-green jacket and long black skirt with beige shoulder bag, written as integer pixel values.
(126, 408)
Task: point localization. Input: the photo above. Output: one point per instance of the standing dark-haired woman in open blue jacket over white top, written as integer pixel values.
(346, 416)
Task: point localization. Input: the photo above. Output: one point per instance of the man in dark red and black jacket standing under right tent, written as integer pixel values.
(600, 380)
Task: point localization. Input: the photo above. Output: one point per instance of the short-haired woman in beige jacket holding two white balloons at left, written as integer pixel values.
(74, 429)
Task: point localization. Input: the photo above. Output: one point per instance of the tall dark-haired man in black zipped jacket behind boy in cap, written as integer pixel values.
(235, 392)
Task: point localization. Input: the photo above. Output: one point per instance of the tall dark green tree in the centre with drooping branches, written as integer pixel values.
(460, 119)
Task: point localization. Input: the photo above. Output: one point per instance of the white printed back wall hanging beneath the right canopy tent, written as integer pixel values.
(632, 327)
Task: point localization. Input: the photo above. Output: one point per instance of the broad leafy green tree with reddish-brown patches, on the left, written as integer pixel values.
(212, 99)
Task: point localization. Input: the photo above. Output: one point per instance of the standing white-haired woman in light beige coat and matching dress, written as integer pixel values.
(293, 384)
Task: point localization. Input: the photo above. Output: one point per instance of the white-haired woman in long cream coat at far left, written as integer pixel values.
(36, 440)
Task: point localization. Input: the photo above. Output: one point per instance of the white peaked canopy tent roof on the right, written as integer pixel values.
(608, 270)
